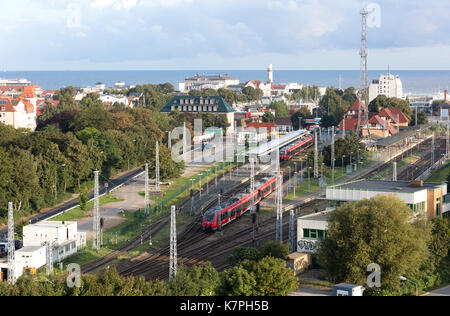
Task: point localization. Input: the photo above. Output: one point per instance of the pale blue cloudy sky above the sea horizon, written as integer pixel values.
(222, 34)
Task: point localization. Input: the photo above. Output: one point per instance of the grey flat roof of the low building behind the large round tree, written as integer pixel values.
(386, 186)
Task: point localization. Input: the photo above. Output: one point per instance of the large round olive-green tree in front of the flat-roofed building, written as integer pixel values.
(378, 231)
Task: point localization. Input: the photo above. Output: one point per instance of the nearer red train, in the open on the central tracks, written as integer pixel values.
(229, 211)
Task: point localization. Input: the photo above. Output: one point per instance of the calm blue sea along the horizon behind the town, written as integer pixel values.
(415, 82)
